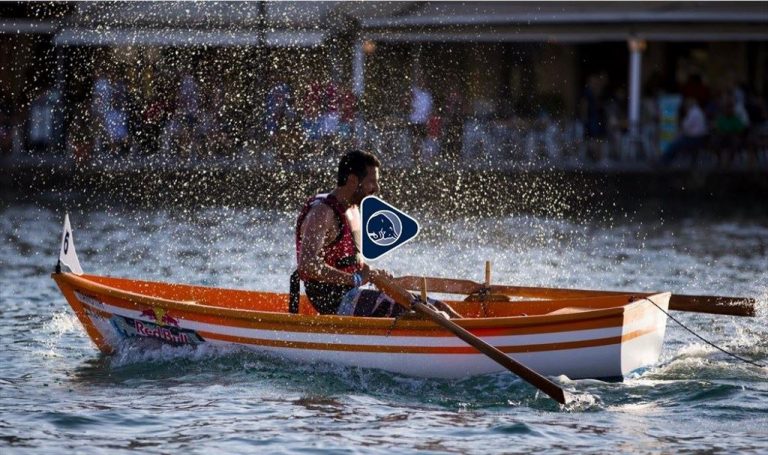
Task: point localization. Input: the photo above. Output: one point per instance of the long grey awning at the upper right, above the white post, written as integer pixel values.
(571, 22)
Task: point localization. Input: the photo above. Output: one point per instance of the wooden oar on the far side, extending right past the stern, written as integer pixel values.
(732, 306)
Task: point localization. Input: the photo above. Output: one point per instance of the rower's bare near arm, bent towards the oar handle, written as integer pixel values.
(319, 229)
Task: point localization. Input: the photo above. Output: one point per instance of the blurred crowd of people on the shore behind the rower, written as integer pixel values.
(726, 124)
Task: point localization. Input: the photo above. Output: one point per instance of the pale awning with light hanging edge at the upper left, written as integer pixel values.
(214, 24)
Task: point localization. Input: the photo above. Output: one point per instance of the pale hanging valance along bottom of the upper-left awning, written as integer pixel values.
(187, 37)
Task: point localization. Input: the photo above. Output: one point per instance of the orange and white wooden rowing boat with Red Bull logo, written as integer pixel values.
(588, 337)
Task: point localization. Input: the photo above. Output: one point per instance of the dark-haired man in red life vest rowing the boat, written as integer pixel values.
(328, 239)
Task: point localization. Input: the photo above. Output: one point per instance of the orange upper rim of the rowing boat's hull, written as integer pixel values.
(76, 281)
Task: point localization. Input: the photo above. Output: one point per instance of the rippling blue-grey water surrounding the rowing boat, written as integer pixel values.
(58, 394)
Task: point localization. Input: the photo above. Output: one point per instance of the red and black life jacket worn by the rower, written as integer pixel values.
(341, 254)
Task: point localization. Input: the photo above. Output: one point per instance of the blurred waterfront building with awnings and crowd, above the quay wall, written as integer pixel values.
(608, 85)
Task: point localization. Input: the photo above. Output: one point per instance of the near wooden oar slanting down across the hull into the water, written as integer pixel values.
(405, 299)
